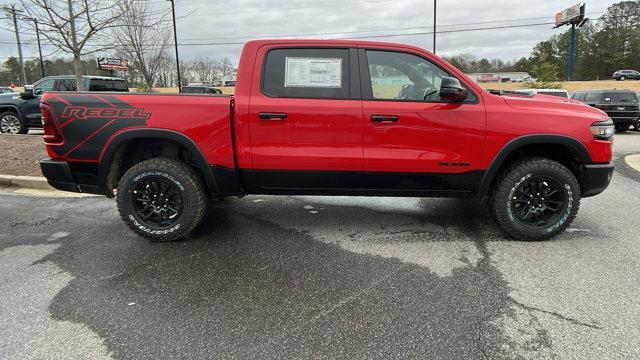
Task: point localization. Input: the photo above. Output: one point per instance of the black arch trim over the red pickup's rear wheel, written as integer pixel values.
(113, 155)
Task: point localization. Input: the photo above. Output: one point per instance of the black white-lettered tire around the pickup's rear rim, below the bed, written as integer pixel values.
(188, 186)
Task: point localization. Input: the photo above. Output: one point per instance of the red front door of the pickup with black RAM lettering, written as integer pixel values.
(413, 139)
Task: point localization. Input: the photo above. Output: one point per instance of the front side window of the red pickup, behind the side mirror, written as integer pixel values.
(401, 76)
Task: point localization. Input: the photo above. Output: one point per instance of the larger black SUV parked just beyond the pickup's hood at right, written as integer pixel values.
(620, 105)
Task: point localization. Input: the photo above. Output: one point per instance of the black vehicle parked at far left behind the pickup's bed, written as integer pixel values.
(19, 112)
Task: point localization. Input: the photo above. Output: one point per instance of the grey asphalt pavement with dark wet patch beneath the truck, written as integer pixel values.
(321, 277)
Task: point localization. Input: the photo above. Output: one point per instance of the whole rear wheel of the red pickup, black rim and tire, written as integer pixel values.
(161, 199)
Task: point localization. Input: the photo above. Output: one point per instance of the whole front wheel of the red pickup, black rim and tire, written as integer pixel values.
(535, 199)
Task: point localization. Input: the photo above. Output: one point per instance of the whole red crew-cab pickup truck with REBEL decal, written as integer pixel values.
(331, 118)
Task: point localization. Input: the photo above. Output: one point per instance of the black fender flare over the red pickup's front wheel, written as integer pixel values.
(541, 139)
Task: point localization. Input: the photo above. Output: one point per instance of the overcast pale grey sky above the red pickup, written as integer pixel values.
(213, 22)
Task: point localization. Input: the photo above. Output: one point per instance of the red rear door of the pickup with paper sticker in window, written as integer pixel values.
(305, 120)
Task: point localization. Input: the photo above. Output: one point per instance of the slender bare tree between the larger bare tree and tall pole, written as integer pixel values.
(143, 38)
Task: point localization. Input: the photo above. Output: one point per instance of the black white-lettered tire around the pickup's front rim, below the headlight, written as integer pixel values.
(515, 175)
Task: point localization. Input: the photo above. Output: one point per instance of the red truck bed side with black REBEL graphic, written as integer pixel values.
(88, 122)
